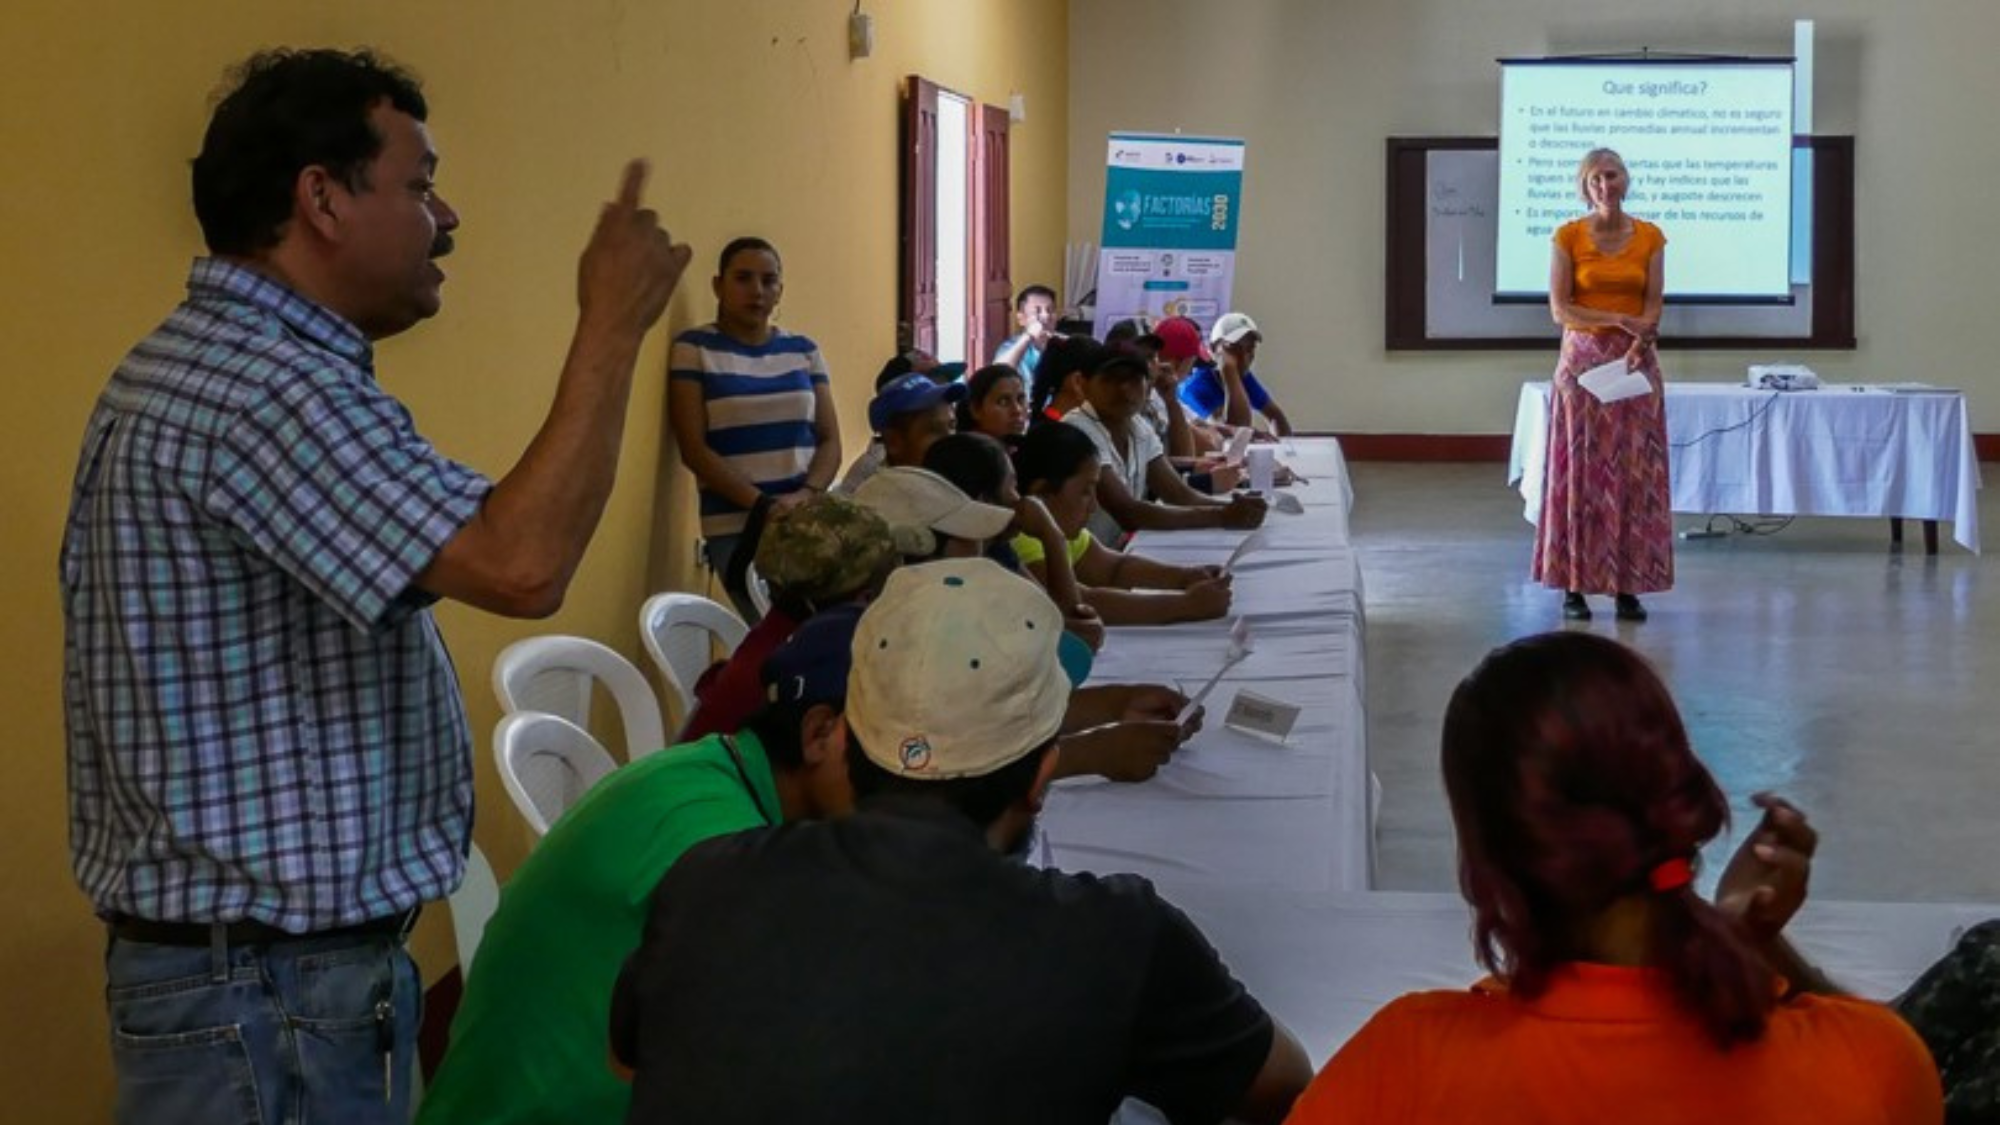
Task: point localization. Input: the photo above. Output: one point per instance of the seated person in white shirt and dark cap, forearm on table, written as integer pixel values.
(1135, 463)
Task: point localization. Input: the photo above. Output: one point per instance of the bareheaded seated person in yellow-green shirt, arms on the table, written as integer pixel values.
(1059, 467)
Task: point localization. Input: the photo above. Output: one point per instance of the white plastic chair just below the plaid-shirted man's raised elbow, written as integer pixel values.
(555, 676)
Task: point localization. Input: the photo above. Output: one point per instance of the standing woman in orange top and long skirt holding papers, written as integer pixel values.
(1607, 525)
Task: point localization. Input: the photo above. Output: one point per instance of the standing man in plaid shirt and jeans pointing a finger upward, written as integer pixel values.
(267, 748)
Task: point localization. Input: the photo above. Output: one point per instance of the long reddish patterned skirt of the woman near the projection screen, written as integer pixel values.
(1607, 525)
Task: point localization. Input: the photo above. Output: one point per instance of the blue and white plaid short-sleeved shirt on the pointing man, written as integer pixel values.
(263, 722)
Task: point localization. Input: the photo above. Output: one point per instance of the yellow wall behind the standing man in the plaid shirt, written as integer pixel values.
(757, 123)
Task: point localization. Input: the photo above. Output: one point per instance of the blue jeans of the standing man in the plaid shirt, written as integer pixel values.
(299, 1032)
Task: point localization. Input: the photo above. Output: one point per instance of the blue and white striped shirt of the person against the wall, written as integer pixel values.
(761, 411)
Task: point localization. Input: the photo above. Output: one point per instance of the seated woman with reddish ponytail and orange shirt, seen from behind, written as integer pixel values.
(1617, 992)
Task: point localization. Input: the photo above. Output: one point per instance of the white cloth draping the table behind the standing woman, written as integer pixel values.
(1839, 451)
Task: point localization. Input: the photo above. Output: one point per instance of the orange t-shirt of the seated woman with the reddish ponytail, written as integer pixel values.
(1611, 1044)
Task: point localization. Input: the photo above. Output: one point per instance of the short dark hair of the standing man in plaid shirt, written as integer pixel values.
(287, 113)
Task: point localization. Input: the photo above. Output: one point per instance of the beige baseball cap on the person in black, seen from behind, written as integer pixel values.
(955, 672)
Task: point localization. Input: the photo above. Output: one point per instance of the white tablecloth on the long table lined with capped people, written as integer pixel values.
(1233, 808)
